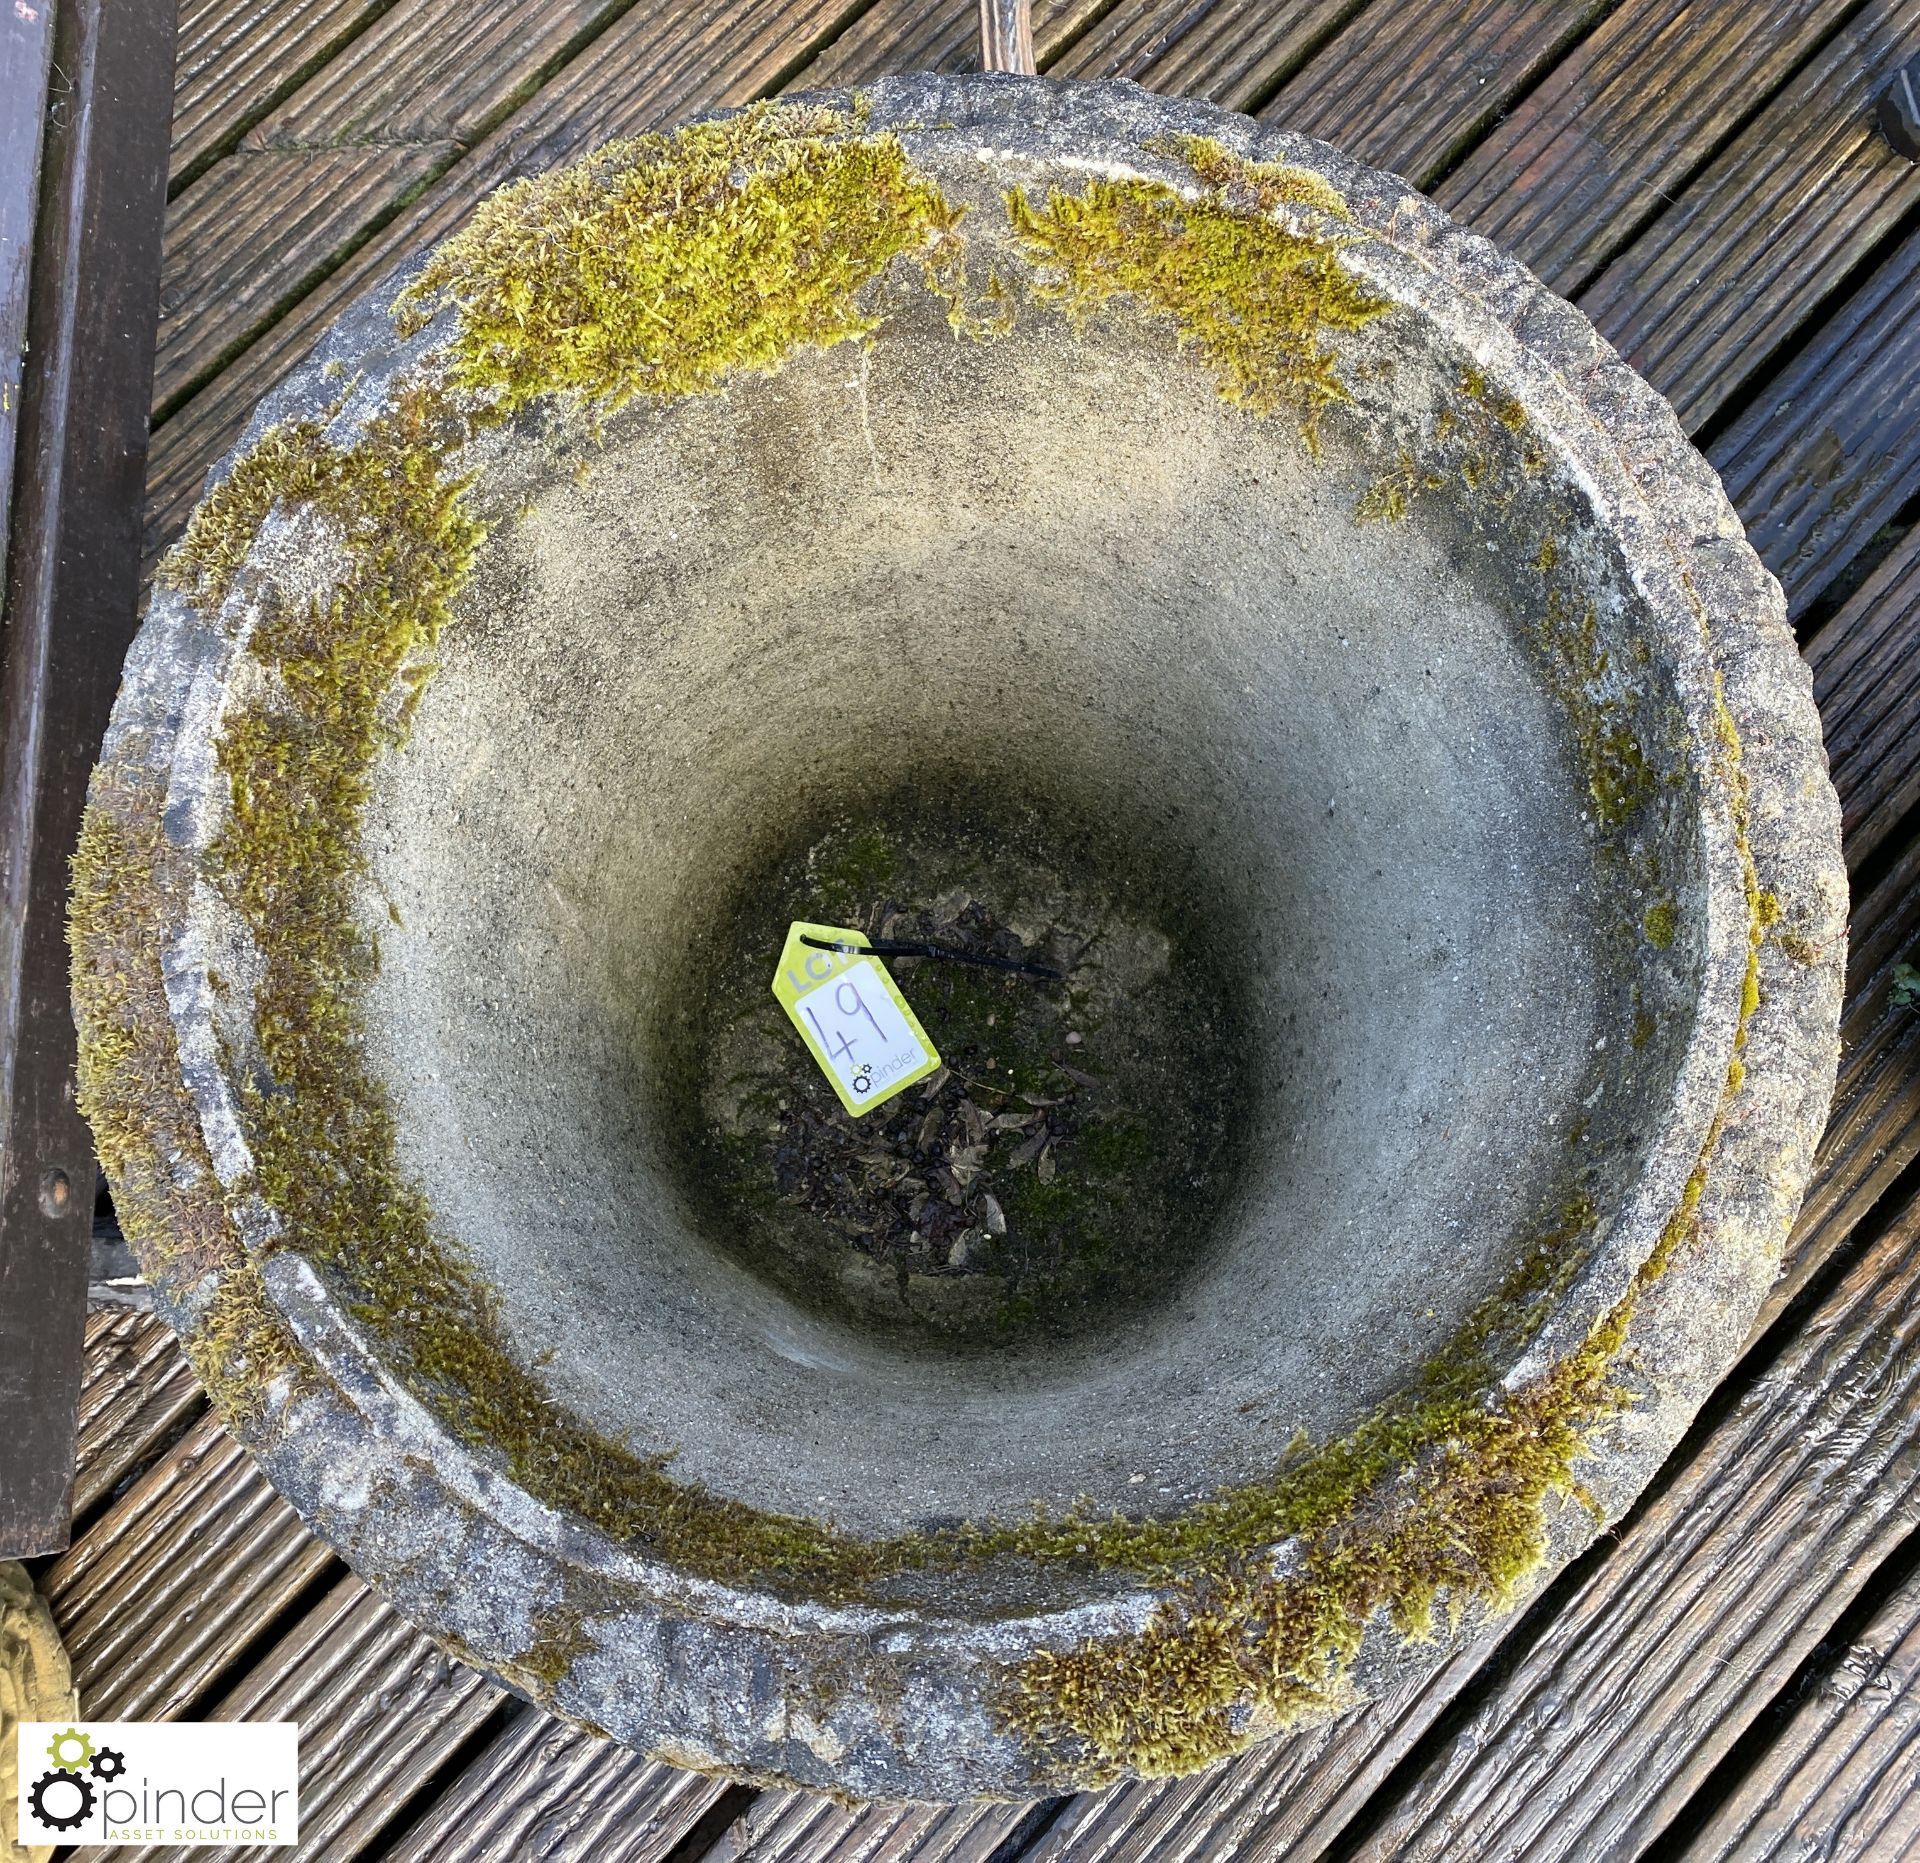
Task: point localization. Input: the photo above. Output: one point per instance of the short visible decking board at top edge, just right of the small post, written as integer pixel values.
(1226, 51)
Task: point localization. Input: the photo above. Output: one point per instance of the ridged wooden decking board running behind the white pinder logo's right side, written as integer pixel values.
(379, 1712)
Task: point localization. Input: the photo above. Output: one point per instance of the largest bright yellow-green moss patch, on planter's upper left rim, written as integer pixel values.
(665, 264)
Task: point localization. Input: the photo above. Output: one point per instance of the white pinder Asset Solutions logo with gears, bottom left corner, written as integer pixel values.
(160, 1783)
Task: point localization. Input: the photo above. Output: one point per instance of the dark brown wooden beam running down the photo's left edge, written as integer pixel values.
(70, 616)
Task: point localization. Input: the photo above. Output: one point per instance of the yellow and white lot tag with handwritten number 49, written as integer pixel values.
(852, 1017)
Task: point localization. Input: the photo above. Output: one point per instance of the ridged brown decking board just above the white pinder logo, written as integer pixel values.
(178, 1578)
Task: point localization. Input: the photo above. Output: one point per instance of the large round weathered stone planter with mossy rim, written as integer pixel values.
(1226, 527)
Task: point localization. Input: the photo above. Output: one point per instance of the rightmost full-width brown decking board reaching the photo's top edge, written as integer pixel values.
(1618, 128)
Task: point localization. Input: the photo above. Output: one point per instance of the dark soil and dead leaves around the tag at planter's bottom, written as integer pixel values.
(1059, 1163)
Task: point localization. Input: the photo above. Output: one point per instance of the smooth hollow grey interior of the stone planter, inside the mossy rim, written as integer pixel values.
(1364, 1004)
